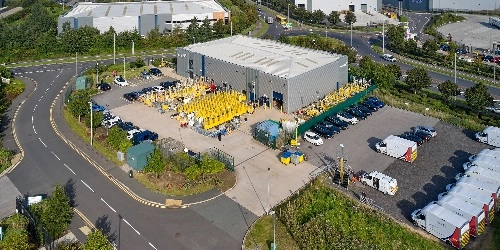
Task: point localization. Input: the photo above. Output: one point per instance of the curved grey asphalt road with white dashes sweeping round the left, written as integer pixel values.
(48, 160)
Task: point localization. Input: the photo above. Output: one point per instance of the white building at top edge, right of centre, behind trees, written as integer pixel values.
(327, 6)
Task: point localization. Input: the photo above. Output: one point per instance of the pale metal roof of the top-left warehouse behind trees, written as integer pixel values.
(119, 9)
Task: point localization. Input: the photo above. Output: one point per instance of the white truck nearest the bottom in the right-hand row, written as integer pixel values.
(444, 224)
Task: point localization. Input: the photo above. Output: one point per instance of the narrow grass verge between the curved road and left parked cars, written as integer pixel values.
(81, 131)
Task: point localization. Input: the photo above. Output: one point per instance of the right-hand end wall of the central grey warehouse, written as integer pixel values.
(316, 84)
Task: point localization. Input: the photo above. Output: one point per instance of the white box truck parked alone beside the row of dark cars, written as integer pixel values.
(398, 147)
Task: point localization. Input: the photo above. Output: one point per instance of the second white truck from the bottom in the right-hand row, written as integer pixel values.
(475, 215)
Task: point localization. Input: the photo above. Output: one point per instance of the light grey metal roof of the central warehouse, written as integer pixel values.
(269, 56)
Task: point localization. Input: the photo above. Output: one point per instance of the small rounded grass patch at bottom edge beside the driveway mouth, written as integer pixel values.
(260, 235)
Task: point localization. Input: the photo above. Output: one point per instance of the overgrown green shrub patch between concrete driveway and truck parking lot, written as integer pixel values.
(324, 218)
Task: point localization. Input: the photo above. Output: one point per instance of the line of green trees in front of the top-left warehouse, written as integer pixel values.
(32, 33)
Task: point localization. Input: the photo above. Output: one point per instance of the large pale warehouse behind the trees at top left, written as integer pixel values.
(143, 16)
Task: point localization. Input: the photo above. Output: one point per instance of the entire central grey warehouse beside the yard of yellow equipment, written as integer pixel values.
(265, 70)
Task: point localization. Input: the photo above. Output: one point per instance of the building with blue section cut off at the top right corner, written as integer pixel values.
(436, 5)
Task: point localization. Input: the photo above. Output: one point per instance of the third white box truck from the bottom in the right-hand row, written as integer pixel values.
(472, 196)
